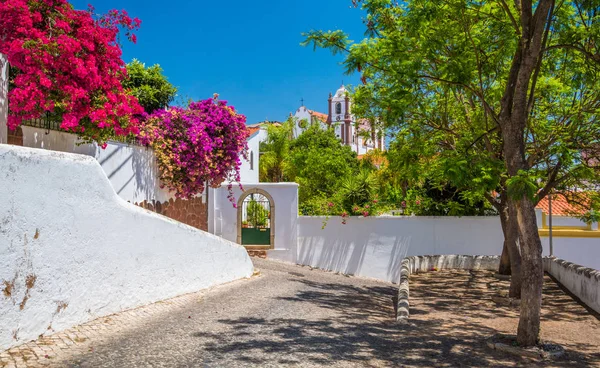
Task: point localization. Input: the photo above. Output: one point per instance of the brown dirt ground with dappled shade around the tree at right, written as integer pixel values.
(458, 309)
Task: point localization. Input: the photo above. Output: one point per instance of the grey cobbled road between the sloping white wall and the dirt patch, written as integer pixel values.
(288, 315)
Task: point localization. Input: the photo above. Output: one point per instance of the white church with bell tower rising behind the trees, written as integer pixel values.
(353, 132)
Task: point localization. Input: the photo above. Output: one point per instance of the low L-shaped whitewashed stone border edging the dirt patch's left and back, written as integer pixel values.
(438, 262)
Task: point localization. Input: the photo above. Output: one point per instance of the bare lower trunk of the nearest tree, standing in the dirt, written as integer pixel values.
(532, 274)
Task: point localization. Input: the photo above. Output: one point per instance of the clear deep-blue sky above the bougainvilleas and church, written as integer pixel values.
(247, 51)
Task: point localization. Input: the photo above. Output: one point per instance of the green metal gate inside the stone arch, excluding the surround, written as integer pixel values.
(256, 220)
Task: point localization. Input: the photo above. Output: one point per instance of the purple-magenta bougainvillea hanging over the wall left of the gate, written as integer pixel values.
(197, 146)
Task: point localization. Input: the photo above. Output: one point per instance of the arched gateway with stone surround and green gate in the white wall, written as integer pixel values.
(256, 219)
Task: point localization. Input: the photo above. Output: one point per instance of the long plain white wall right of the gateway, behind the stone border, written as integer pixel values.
(375, 246)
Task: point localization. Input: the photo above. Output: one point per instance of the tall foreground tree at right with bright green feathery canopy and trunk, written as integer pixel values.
(530, 70)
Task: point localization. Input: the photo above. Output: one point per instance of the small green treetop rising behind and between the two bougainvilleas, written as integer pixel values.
(149, 85)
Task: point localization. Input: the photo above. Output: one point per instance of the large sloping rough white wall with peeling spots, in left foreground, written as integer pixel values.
(72, 250)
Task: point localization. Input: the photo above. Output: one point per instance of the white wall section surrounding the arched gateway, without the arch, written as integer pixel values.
(222, 216)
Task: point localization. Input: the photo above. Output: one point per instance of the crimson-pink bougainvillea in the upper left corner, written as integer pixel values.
(67, 63)
